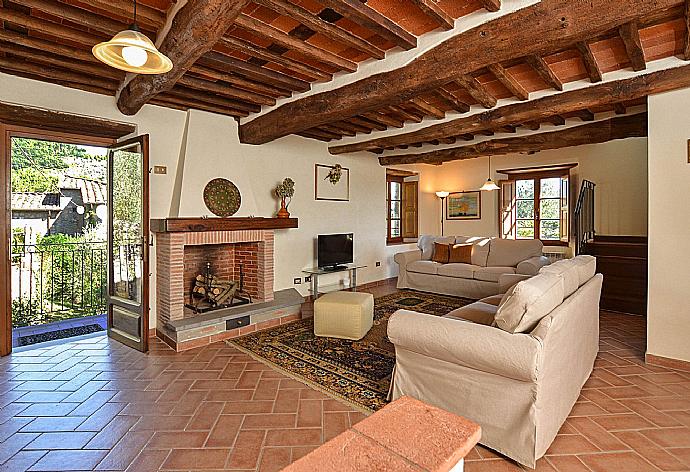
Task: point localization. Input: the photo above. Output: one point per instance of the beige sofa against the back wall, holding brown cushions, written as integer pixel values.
(491, 259)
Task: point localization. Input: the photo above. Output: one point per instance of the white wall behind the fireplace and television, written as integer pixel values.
(199, 146)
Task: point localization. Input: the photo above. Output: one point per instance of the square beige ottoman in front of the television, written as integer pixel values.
(346, 315)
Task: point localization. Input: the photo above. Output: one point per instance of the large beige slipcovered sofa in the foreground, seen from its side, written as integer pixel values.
(517, 375)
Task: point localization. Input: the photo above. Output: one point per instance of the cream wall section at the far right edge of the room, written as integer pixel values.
(668, 312)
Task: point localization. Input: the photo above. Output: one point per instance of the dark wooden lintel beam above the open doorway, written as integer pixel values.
(57, 121)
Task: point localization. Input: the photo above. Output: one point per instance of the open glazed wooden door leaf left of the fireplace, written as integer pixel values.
(128, 233)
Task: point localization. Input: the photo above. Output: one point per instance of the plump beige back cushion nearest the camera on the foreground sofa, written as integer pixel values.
(528, 302)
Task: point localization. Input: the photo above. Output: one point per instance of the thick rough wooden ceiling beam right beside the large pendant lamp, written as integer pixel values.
(196, 28)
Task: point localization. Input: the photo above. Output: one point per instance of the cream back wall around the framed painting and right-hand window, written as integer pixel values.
(619, 168)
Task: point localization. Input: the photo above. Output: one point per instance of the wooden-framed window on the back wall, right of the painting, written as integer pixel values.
(537, 176)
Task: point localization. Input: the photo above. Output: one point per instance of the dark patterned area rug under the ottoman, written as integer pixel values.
(356, 371)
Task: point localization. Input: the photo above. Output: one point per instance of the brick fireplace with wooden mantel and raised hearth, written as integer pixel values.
(184, 247)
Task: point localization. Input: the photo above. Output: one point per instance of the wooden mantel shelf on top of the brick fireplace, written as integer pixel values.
(189, 225)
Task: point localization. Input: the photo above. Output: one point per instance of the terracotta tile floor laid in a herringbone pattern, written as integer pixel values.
(97, 405)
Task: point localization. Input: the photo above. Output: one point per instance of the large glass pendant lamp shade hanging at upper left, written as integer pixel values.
(132, 51)
